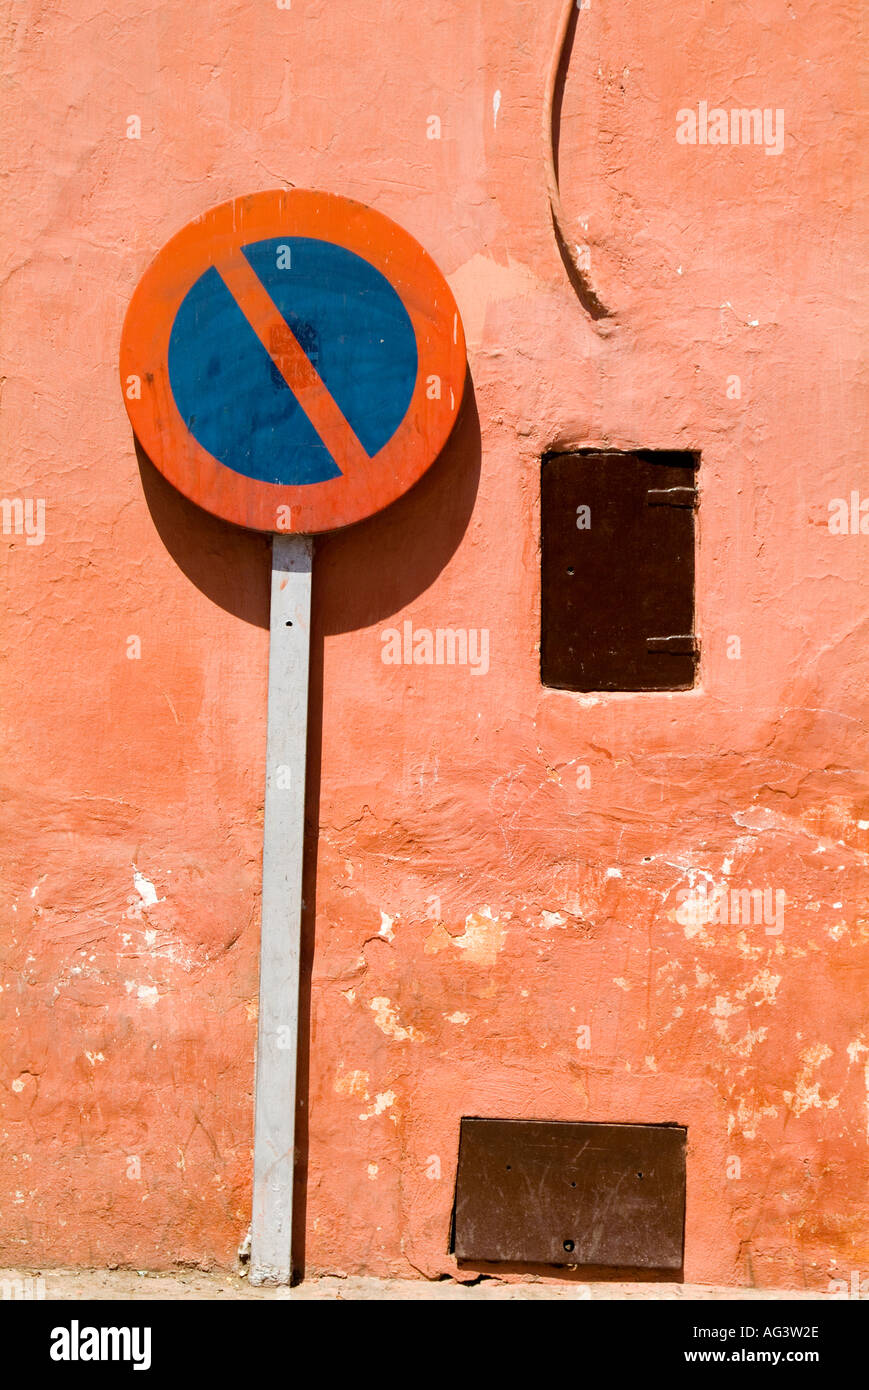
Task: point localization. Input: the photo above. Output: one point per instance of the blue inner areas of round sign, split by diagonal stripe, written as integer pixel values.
(351, 325)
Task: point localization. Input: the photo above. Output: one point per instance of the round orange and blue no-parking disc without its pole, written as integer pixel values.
(293, 362)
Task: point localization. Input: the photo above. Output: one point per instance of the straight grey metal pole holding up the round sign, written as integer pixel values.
(282, 932)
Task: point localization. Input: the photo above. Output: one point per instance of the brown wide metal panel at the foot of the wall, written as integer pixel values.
(557, 1193)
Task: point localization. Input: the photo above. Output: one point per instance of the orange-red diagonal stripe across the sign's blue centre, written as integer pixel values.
(293, 362)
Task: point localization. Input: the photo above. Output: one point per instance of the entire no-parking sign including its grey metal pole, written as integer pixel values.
(291, 362)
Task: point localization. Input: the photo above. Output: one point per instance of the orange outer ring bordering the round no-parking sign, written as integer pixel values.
(364, 490)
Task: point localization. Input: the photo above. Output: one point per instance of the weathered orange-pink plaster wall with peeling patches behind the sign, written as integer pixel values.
(475, 907)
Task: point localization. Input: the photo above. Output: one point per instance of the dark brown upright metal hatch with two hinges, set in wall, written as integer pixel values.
(618, 580)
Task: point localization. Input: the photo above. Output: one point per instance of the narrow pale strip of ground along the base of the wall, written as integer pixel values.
(74, 1285)
